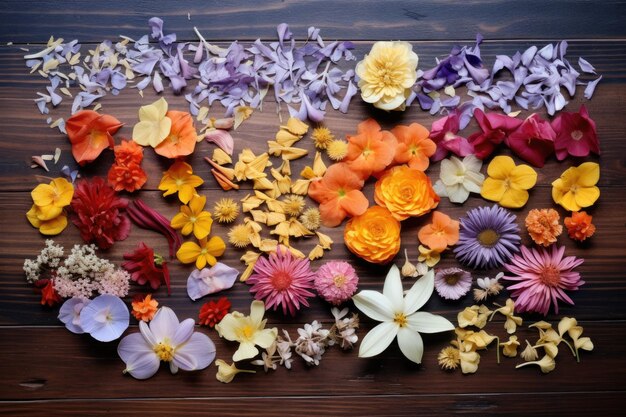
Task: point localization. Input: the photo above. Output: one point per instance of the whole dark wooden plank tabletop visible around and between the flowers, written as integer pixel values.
(47, 370)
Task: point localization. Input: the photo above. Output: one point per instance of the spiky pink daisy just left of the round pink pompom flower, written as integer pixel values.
(282, 280)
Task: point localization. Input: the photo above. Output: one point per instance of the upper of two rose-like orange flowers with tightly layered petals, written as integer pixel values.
(405, 192)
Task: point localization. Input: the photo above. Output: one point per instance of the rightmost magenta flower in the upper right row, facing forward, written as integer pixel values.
(575, 134)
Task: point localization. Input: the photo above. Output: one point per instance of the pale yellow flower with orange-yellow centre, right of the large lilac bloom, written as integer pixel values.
(249, 331)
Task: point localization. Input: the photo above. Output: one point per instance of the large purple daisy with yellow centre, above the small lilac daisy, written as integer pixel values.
(489, 236)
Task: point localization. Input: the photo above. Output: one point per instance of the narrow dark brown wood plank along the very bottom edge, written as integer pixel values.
(605, 403)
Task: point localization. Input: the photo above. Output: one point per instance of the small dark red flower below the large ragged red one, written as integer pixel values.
(146, 267)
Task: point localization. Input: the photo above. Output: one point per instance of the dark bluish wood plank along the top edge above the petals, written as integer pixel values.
(354, 20)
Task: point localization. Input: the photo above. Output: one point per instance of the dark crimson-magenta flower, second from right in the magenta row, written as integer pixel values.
(533, 140)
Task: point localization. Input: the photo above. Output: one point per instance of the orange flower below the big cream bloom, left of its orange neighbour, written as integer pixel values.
(371, 150)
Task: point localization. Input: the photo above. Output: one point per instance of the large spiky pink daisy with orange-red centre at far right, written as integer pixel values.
(542, 276)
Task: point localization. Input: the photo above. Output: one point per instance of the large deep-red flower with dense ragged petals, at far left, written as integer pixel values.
(98, 213)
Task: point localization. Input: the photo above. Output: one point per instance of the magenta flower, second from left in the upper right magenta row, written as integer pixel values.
(495, 128)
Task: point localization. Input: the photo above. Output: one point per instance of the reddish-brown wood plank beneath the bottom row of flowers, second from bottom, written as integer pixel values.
(46, 363)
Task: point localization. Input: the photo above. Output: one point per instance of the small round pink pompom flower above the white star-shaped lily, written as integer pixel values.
(336, 282)
